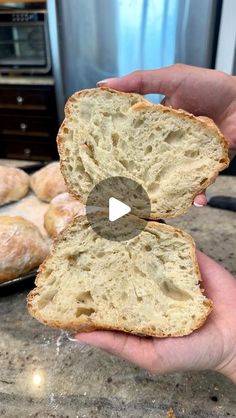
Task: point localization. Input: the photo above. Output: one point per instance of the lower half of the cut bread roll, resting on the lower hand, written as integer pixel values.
(148, 285)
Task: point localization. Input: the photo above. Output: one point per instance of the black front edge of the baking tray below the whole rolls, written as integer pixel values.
(20, 283)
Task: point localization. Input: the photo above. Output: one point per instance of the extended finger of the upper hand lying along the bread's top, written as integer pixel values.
(162, 81)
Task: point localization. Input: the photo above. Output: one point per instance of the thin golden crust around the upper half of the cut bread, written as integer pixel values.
(202, 121)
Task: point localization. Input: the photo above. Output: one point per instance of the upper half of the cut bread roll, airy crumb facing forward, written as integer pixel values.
(171, 153)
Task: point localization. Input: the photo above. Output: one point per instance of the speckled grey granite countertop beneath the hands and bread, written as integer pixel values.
(44, 374)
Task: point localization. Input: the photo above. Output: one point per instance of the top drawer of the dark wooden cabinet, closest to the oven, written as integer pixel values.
(40, 99)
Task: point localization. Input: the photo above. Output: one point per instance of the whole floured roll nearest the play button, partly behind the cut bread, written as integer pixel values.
(60, 212)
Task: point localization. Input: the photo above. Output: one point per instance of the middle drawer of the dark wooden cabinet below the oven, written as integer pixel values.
(26, 127)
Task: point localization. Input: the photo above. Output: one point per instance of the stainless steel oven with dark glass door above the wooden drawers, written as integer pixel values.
(24, 41)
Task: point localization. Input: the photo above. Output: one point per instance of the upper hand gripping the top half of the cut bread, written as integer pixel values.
(199, 91)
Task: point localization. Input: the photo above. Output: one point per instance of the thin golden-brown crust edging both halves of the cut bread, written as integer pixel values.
(87, 325)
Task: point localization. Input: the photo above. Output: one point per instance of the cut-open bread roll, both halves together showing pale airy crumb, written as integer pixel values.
(149, 284)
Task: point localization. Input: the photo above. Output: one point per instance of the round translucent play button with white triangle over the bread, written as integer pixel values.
(124, 208)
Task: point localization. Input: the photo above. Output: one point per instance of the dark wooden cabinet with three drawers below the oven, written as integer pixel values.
(28, 122)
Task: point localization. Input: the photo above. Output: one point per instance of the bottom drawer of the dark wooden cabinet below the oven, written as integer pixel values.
(28, 150)
